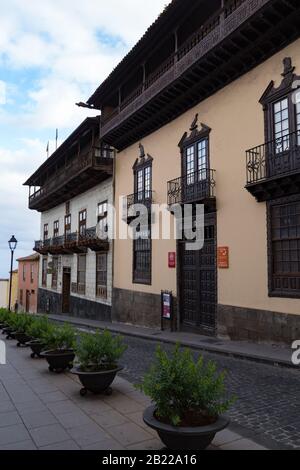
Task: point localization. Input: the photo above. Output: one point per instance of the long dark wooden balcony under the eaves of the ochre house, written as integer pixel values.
(232, 41)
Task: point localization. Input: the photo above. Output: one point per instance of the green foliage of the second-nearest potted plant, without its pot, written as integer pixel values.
(99, 351)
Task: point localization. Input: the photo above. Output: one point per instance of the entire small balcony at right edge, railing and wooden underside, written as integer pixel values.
(273, 169)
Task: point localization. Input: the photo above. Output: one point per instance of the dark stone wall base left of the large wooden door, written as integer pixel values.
(138, 308)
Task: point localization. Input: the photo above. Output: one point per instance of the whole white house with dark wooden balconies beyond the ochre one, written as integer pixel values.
(75, 190)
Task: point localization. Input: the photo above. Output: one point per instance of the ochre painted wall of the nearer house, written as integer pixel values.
(237, 122)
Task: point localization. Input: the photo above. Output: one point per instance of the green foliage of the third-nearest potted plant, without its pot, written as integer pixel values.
(59, 338)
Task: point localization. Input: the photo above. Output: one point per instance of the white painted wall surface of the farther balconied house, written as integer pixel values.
(89, 201)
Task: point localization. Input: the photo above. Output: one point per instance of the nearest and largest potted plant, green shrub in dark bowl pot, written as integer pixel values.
(189, 400)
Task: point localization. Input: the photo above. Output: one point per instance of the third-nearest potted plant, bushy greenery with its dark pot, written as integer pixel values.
(60, 343)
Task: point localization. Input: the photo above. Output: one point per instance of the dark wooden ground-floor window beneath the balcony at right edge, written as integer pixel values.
(284, 248)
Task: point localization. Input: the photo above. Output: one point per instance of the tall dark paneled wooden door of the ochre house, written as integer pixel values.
(198, 283)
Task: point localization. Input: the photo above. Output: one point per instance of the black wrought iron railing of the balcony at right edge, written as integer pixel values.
(274, 159)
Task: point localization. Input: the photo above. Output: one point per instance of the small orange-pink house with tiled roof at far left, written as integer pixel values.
(28, 283)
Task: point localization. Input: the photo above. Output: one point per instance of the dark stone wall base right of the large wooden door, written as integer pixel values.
(243, 324)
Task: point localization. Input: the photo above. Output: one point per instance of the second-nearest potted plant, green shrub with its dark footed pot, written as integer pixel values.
(98, 355)
